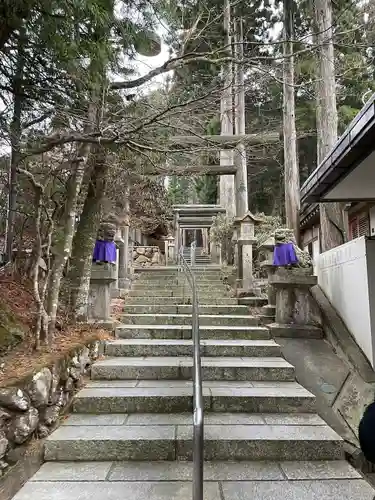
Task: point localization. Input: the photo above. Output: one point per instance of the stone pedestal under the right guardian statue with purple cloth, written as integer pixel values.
(296, 312)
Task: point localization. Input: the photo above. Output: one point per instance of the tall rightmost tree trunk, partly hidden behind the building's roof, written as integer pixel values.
(332, 227)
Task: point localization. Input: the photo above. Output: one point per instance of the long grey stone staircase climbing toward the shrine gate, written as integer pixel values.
(130, 434)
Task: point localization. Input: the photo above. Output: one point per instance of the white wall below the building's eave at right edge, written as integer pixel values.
(347, 276)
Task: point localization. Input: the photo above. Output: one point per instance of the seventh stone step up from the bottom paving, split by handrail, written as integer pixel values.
(186, 309)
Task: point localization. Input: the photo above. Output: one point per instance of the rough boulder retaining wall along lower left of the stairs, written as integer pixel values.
(33, 406)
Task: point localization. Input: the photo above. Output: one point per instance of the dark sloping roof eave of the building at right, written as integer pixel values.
(353, 147)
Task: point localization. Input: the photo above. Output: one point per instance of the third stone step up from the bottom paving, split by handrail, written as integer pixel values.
(181, 368)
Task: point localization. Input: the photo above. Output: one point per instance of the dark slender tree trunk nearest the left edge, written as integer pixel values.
(15, 139)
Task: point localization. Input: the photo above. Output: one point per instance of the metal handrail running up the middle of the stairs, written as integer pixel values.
(198, 418)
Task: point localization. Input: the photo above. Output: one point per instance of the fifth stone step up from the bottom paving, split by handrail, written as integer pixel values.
(185, 332)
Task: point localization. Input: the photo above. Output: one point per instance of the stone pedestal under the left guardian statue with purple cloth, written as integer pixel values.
(99, 301)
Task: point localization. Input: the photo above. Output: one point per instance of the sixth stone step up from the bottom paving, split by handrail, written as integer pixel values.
(185, 319)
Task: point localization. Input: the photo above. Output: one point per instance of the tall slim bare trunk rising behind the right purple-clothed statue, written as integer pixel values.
(291, 170)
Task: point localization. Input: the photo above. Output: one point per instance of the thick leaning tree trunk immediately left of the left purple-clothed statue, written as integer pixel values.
(84, 239)
